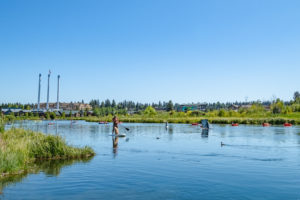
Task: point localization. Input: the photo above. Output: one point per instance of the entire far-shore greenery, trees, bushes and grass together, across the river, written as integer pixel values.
(276, 112)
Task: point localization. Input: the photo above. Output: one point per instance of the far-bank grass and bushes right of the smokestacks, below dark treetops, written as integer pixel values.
(256, 113)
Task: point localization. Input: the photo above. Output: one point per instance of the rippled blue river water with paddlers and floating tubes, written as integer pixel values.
(176, 163)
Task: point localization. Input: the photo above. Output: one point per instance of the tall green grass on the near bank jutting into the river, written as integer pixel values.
(19, 149)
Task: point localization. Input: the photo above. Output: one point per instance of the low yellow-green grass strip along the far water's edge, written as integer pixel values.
(214, 117)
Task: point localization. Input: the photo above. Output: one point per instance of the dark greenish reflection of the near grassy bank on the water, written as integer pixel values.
(49, 167)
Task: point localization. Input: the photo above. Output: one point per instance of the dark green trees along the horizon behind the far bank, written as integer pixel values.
(105, 107)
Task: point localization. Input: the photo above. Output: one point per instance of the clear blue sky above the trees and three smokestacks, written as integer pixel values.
(185, 51)
